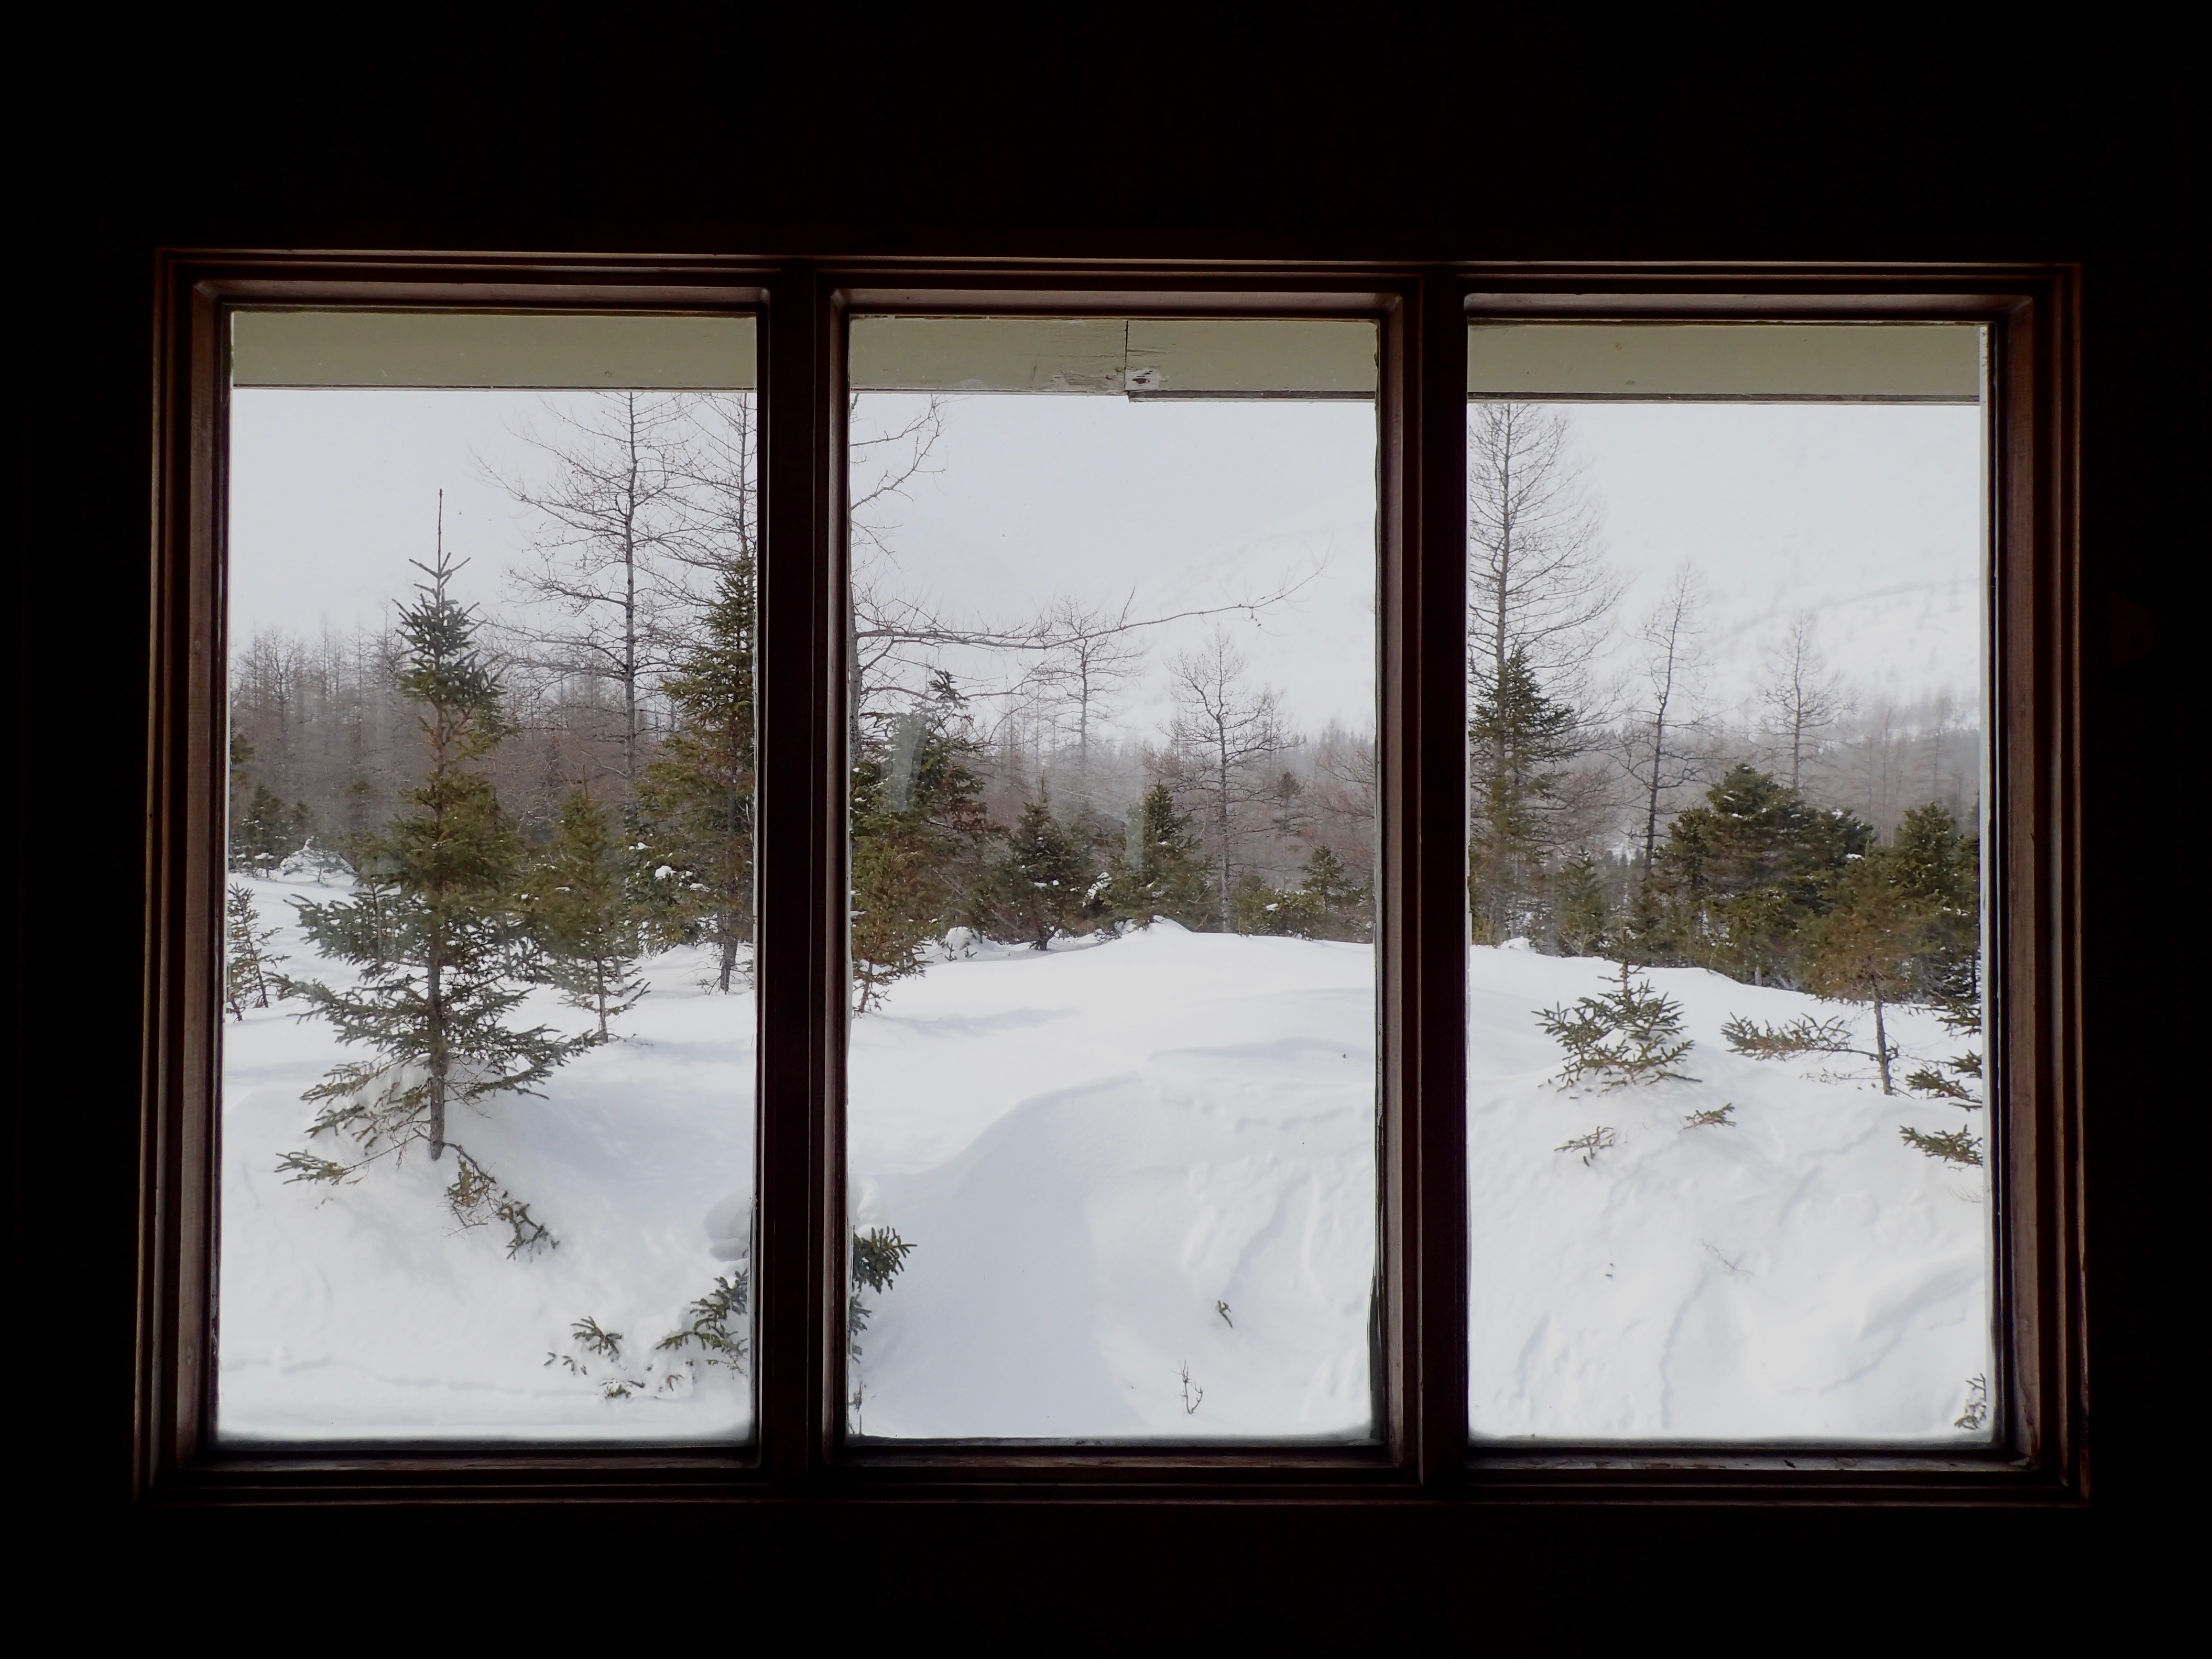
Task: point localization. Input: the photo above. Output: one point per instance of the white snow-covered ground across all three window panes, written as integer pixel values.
(1140, 1185)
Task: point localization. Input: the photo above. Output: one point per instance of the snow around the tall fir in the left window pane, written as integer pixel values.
(366, 1313)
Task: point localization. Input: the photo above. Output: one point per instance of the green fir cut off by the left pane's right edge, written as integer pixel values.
(696, 802)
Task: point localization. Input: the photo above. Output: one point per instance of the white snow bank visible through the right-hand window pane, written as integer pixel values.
(1793, 1275)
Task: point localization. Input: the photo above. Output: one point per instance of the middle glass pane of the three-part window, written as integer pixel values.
(1114, 1039)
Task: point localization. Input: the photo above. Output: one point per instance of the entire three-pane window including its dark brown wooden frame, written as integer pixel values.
(1058, 1107)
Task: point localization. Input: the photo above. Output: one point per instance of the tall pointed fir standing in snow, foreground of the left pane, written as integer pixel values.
(435, 932)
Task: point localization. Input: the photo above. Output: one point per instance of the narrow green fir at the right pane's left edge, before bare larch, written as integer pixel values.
(1519, 742)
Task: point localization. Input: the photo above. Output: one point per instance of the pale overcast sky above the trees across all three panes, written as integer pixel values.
(1866, 517)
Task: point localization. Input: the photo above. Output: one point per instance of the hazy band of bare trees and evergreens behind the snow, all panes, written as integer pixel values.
(997, 789)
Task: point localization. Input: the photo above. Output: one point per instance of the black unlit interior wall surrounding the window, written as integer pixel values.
(1304, 132)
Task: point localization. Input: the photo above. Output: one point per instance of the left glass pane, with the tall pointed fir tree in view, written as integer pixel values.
(488, 1043)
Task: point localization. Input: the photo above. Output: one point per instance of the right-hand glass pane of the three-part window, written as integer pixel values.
(1729, 1140)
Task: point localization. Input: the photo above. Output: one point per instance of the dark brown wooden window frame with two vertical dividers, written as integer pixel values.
(1421, 1450)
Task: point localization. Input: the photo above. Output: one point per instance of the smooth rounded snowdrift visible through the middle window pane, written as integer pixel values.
(1118, 1162)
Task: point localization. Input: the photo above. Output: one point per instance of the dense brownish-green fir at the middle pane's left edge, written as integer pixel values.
(917, 839)
